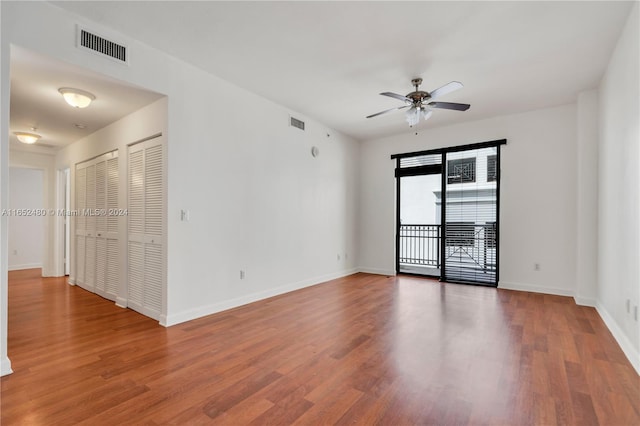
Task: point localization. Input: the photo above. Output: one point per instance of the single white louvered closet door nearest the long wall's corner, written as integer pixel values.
(146, 217)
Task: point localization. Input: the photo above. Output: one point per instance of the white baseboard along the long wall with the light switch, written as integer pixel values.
(191, 314)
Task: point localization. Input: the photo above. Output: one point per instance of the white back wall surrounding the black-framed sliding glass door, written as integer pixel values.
(538, 195)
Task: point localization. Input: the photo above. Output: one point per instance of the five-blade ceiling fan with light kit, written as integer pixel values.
(419, 102)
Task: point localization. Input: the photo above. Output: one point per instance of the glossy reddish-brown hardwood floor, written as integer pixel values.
(365, 349)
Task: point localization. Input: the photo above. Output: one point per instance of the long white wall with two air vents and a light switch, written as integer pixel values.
(258, 201)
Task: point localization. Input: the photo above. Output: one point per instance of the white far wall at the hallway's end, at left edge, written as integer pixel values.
(26, 231)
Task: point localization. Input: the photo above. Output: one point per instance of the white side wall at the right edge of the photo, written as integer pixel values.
(619, 192)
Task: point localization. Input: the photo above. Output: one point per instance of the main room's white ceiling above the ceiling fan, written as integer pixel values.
(329, 60)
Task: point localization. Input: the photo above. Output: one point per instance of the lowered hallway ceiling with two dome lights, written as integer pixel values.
(36, 102)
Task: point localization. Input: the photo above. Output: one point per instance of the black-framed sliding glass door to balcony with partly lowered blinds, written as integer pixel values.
(447, 213)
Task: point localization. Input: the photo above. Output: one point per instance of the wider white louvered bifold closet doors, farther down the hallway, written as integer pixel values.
(96, 225)
